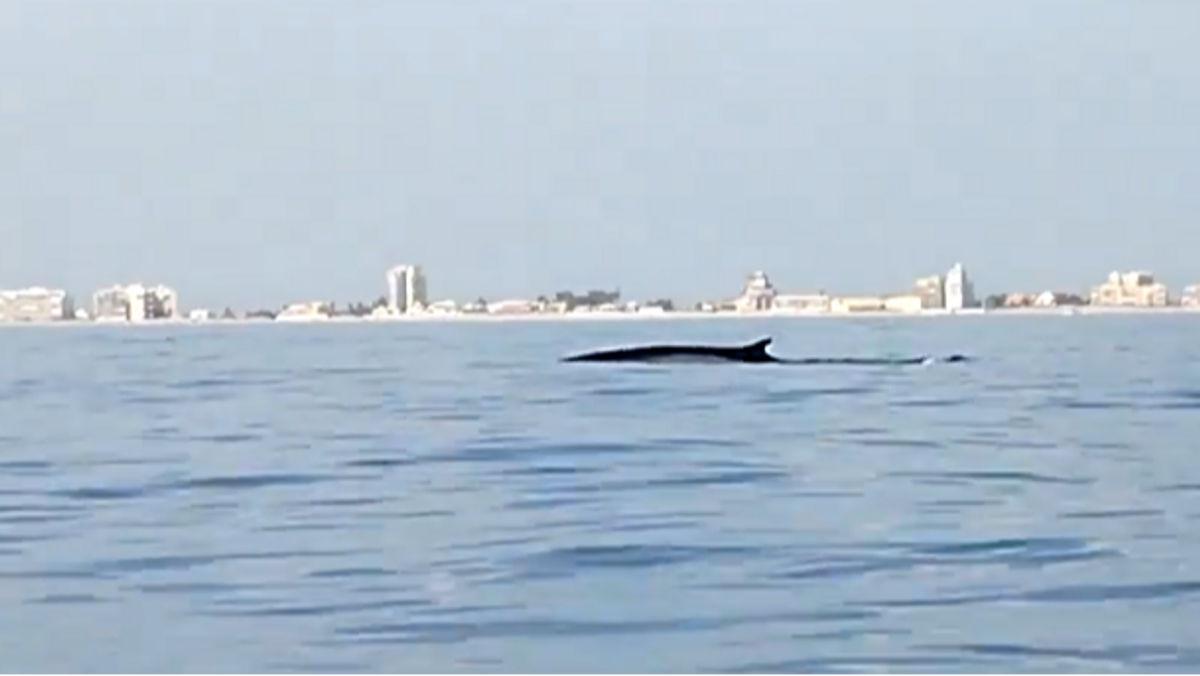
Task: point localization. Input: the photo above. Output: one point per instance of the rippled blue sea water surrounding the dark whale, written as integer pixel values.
(448, 499)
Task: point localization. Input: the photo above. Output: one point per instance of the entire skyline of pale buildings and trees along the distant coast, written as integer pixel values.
(406, 295)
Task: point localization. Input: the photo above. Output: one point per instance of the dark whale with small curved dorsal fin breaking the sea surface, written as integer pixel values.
(751, 354)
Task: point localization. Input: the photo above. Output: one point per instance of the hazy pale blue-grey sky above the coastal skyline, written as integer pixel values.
(259, 152)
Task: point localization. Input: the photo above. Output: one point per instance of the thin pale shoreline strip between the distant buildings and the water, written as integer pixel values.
(1069, 312)
